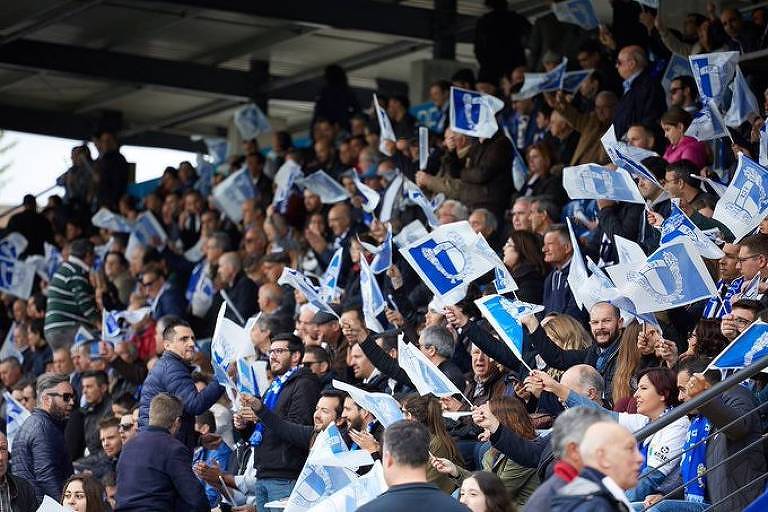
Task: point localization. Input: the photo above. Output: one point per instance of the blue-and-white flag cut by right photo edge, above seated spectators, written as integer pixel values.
(745, 202)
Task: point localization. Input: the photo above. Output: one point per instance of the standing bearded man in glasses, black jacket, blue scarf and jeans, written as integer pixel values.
(291, 396)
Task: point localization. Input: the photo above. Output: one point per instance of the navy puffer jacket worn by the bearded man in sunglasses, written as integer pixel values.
(40, 455)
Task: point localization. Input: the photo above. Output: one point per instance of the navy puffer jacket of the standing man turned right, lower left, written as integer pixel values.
(173, 375)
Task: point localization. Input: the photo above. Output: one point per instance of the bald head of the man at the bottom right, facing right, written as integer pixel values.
(611, 449)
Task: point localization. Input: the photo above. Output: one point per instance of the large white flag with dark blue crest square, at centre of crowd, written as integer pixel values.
(448, 260)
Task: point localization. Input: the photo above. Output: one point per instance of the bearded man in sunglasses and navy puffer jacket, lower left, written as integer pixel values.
(39, 453)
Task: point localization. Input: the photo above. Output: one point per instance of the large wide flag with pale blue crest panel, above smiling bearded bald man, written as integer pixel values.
(674, 275)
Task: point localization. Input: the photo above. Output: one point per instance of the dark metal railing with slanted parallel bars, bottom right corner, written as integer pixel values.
(691, 405)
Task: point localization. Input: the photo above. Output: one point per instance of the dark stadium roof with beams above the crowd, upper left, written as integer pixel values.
(161, 71)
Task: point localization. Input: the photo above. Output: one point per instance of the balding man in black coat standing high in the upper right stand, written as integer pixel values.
(643, 100)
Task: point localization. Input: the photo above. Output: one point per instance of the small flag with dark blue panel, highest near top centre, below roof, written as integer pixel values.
(474, 113)
